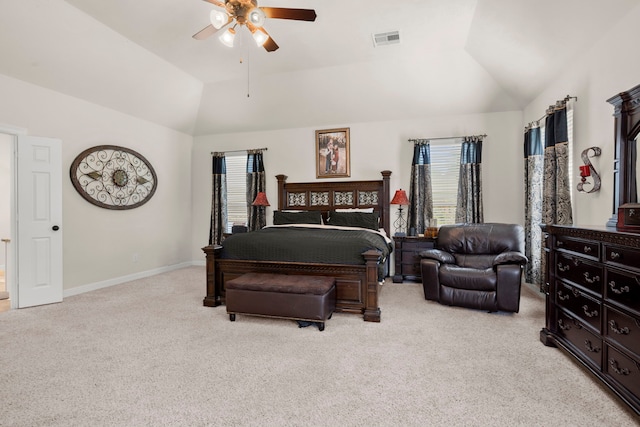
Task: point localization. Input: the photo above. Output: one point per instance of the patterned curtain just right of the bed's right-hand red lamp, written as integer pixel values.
(420, 195)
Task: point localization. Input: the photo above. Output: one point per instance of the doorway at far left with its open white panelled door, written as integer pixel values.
(32, 258)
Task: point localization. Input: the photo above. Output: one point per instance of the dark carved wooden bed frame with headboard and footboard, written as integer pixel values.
(357, 285)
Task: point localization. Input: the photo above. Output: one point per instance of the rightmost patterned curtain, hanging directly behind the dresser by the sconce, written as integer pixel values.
(556, 198)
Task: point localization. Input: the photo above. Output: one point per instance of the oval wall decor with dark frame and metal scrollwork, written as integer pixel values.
(113, 177)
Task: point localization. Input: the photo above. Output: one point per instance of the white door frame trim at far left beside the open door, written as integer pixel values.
(12, 284)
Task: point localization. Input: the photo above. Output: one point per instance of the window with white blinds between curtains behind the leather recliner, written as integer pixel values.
(445, 171)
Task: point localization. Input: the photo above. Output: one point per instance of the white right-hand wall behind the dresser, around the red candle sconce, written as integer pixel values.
(610, 67)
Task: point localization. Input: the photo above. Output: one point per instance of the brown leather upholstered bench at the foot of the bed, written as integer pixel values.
(297, 297)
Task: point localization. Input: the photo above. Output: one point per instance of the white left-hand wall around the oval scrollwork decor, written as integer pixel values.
(98, 243)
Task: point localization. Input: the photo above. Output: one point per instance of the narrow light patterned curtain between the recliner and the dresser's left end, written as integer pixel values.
(533, 168)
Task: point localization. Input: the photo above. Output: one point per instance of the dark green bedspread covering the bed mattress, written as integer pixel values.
(301, 244)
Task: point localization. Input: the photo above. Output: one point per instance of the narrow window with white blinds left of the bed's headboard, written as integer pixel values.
(236, 189)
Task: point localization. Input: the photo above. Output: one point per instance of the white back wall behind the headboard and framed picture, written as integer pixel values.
(375, 146)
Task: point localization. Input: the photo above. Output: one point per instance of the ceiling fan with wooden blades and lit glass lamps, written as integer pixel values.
(247, 13)
